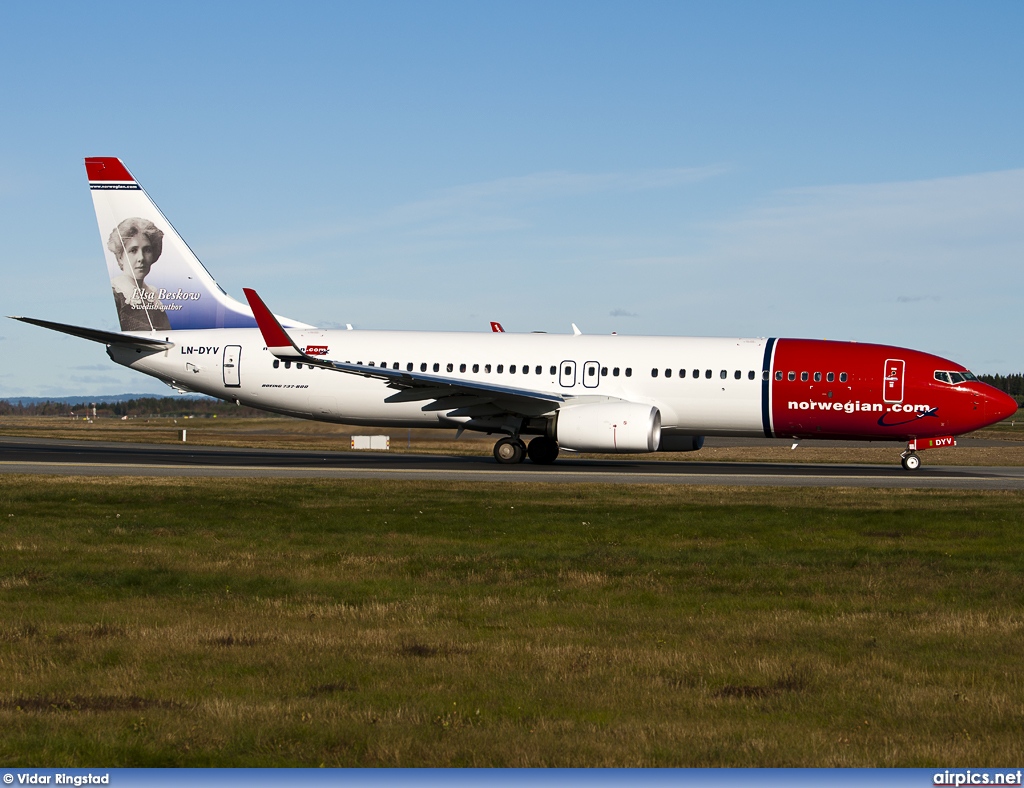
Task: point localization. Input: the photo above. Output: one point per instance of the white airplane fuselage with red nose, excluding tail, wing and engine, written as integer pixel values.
(701, 386)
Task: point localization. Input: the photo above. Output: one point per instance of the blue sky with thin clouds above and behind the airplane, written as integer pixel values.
(840, 170)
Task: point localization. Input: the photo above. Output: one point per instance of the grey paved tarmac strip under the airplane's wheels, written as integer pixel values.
(30, 456)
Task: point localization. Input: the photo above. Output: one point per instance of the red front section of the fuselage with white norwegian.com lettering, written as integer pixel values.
(911, 405)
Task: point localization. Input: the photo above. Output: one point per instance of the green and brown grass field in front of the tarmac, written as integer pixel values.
(264, 623)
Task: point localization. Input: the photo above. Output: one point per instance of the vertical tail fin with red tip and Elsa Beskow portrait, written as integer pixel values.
(158, 282)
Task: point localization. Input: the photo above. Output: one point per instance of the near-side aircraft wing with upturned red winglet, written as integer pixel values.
(460, 398)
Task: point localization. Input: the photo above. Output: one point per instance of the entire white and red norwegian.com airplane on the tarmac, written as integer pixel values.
(576, 392)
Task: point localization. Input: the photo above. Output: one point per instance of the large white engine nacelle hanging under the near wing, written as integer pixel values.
(610, 427)
